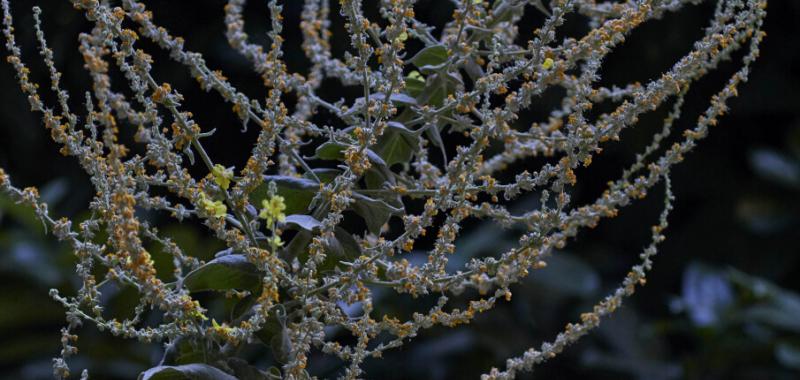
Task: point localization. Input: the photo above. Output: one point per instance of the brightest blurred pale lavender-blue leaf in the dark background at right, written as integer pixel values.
(706, 294)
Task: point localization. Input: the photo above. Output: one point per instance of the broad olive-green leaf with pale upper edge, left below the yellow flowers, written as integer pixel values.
(224, 273)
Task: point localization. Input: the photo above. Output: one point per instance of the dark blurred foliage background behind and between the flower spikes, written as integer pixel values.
(721, 302)
